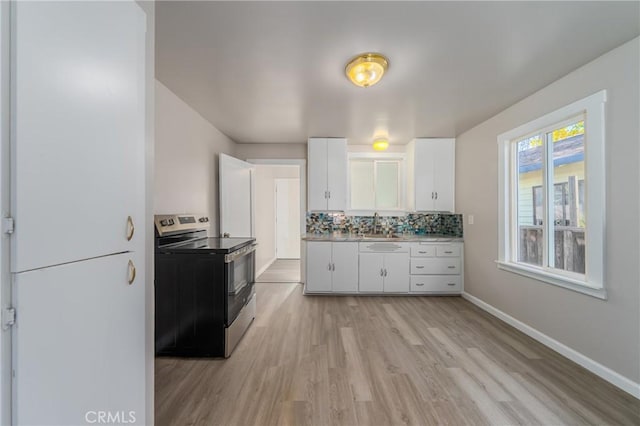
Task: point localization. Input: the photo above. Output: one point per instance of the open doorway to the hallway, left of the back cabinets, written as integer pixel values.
(279, 201)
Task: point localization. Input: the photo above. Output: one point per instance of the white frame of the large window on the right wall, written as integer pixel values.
(592, 282)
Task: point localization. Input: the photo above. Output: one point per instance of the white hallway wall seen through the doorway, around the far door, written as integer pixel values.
(265, 210)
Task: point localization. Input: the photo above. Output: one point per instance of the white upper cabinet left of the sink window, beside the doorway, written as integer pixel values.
(327, 158)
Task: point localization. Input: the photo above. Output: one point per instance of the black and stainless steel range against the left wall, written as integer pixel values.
(205, 297)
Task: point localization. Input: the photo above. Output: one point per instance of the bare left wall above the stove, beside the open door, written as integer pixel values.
(186, 159)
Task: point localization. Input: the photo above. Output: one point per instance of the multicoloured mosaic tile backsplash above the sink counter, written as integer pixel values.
(414, 223)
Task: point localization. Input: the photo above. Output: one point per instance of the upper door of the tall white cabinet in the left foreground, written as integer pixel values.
(78, 125)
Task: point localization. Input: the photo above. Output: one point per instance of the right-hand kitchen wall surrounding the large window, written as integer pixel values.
(607, 332)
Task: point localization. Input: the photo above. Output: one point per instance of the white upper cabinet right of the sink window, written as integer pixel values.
(431, 172)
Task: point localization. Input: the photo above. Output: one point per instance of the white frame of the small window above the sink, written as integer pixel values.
(402, 185)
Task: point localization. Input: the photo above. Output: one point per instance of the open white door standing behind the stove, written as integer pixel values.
(236, 197)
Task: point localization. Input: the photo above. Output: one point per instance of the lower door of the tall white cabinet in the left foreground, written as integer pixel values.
(79, 342)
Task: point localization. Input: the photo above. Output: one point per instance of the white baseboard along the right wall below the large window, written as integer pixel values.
(596, 368)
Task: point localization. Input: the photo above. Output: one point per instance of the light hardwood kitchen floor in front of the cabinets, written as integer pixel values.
(324, 360)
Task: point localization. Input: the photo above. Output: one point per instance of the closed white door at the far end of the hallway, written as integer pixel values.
(287, 218)
